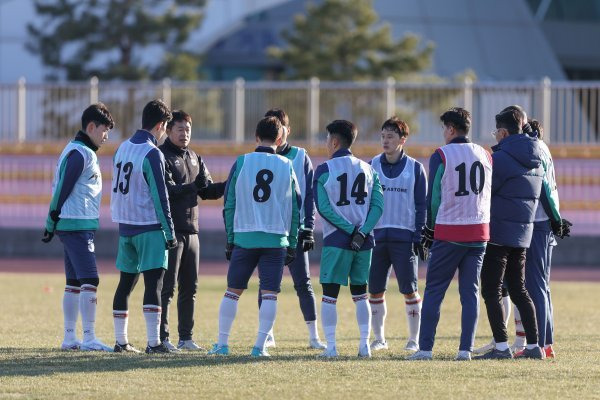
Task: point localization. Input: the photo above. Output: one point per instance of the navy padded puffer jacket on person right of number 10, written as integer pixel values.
(517, 177)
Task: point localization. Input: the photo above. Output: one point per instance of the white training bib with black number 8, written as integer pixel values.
(263, 194)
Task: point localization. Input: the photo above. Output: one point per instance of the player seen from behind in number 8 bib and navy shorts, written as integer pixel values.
(262, 202)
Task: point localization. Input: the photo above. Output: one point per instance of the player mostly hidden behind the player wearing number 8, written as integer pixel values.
(299, 268)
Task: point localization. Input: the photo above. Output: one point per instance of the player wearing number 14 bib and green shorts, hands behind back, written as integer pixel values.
(349, 197)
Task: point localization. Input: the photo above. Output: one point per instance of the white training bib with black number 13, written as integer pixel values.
(130, 200)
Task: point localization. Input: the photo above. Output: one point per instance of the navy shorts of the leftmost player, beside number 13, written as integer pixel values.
(80, 255)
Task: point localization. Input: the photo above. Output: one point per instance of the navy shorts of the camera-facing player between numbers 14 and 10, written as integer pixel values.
(404, 261)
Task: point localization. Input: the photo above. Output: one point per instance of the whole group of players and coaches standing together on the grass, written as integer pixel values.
(467, 216)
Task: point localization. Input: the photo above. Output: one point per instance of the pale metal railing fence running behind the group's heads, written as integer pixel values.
(569, 111)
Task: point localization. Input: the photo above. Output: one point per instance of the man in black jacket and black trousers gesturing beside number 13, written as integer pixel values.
(187, 178)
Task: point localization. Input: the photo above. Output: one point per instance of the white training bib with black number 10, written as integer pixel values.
(466, 185)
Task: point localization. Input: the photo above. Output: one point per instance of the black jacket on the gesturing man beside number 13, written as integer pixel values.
(182, 167)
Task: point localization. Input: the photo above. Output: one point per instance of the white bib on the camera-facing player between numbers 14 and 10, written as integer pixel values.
(399, 196)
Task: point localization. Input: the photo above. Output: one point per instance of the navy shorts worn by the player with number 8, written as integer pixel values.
(270, 268)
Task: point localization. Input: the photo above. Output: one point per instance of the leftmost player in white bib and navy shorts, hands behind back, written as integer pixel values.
(73, 216)
